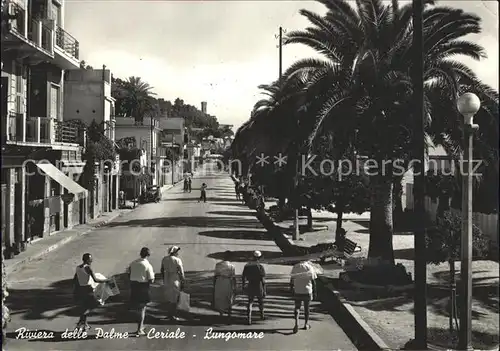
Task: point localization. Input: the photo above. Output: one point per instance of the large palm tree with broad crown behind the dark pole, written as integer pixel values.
(366, 86)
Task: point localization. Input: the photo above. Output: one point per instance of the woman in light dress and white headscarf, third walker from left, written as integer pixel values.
(173, 280)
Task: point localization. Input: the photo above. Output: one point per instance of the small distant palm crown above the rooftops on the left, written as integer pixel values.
(135, 98)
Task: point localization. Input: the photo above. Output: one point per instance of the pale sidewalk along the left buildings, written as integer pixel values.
(47, 244)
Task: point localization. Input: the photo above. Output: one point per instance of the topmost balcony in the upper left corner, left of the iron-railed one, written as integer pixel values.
(27, 38)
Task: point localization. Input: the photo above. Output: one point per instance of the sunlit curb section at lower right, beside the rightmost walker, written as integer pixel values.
(350, 321)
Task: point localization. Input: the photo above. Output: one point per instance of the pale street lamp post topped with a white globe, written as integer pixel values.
(468, 104)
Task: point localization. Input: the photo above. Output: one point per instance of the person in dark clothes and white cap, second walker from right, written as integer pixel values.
(255, 274)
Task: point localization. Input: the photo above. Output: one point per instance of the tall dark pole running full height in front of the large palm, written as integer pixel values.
(420, 296)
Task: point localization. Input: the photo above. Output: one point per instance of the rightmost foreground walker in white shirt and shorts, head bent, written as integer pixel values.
(303, 286)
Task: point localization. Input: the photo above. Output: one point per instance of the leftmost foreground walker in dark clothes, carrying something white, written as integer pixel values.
(85, 282)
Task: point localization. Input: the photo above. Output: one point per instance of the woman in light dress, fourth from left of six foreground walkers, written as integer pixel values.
(224, 285)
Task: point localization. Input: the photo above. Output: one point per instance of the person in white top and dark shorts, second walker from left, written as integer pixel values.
(141, 275)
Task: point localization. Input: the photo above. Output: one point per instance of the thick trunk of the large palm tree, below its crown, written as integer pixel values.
(381, 227)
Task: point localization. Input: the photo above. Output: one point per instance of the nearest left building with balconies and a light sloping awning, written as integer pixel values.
(41, 153)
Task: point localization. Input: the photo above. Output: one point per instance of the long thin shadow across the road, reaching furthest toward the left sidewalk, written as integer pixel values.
(196, 222)
